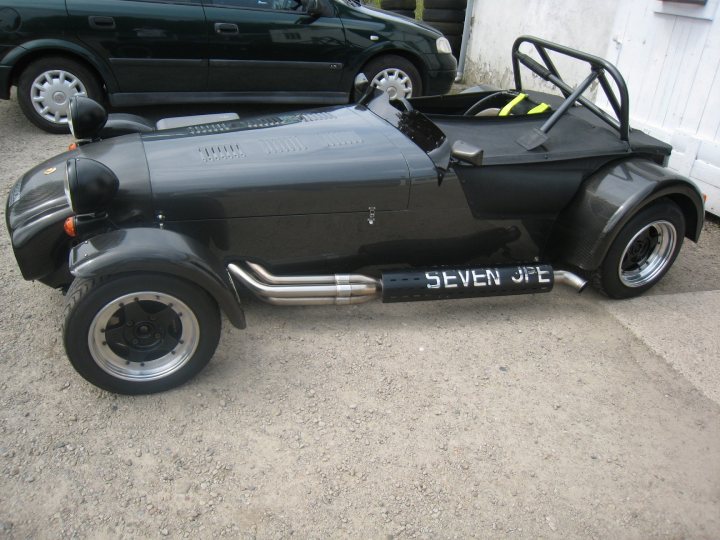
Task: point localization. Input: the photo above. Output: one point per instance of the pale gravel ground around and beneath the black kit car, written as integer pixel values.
(546, 416)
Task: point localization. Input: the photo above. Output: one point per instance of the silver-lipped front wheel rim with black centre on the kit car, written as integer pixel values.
(143, 336)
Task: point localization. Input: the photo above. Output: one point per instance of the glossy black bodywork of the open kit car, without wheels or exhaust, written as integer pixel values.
(348, 188)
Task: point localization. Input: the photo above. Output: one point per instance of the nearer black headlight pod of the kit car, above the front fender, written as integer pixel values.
(89, 185)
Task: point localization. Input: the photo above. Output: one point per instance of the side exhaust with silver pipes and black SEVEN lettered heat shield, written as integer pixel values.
(401, 285)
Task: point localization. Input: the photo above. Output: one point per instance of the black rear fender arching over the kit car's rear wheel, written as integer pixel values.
(609, 198)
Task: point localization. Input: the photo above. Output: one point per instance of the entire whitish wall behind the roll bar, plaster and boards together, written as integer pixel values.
(668, 52)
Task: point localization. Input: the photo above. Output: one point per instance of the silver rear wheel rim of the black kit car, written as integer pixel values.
(647, 254)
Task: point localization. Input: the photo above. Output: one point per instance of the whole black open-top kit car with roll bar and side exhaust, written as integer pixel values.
(156, 232)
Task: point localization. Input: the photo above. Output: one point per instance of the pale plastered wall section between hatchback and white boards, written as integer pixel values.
(582, 24)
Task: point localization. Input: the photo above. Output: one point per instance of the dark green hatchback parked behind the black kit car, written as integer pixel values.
(144, 52)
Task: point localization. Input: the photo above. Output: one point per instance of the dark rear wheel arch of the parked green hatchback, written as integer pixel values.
(38, 47)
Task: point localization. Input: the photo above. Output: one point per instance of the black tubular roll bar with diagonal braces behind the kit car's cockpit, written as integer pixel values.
(599, 69)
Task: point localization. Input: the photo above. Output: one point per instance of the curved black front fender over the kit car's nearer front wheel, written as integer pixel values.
(162, 252)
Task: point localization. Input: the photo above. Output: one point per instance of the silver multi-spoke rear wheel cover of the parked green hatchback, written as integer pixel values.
(51, 92)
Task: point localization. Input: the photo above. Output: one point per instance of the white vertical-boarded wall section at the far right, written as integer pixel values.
(669, 54)
